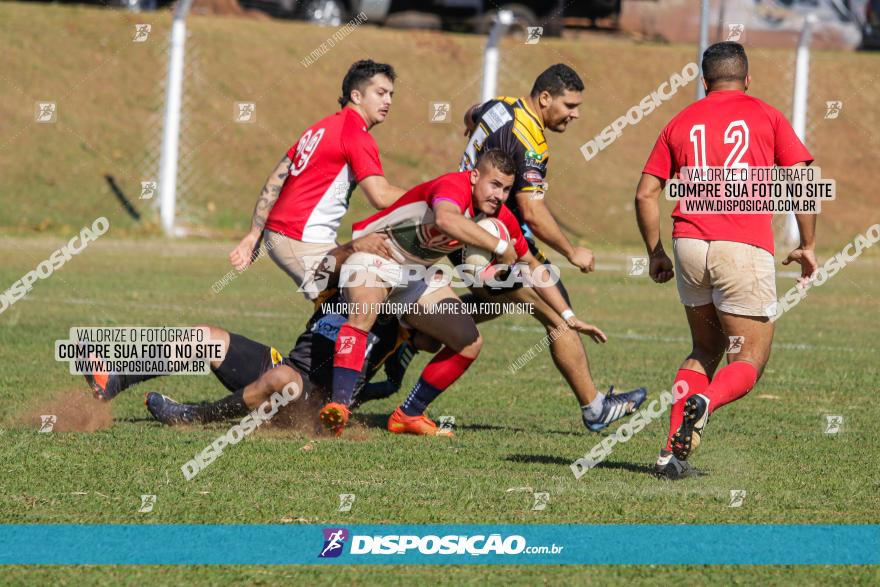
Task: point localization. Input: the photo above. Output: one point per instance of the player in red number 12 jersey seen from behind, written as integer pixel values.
(725, 268)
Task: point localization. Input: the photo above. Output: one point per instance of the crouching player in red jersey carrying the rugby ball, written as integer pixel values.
(428, 222)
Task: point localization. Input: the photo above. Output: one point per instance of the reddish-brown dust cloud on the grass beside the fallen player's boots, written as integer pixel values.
(70, 410)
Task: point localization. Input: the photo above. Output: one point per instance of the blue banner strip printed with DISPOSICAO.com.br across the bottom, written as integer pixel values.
(439, 544)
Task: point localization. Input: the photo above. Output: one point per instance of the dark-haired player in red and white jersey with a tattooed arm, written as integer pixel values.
(306, 196)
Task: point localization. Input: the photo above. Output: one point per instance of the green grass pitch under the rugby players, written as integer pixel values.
(511, 432)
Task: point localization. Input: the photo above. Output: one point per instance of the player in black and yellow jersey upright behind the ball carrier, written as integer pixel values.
(517, 126)
